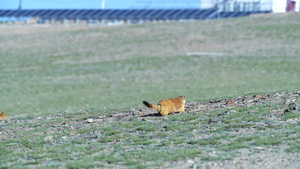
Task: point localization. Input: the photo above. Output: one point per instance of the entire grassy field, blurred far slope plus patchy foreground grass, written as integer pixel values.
(52, 75)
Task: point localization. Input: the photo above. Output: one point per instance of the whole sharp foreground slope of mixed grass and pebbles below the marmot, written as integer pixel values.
(255, 131)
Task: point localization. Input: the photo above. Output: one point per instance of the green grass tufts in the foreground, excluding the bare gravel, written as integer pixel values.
(120, 143)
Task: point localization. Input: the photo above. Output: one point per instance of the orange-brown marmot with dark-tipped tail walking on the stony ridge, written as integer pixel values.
(167, 106)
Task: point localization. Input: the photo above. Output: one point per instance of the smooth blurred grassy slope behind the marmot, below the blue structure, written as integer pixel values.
(47, 69)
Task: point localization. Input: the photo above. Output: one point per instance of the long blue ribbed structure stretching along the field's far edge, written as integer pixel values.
(129, 15)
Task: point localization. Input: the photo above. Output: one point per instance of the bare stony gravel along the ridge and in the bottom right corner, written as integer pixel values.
(258, 157)
